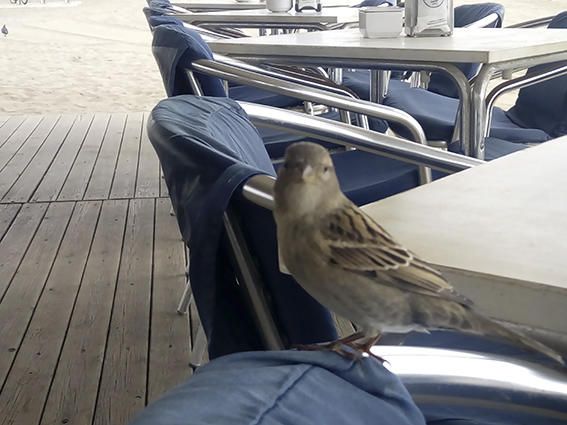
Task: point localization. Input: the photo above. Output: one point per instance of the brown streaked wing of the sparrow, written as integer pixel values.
(359, 244)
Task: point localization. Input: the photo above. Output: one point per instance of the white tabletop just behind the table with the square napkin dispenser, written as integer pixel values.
(329, 15)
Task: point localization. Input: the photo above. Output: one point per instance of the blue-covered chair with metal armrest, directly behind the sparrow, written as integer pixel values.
(208, 149)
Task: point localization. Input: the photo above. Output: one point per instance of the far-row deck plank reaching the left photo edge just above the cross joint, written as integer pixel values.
(18, 163)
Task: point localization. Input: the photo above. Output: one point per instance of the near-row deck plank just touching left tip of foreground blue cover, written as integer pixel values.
(123, 385)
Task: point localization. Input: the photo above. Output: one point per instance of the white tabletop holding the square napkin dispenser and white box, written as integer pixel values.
(484, 45)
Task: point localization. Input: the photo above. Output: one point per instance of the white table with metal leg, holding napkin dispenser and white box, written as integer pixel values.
(496, 49)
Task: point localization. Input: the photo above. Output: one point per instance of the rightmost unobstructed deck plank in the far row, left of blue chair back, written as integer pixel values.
(124, 183)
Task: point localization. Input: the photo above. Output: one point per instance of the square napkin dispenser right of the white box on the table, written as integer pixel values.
(429, 18)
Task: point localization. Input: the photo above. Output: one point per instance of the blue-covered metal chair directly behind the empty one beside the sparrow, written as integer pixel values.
(365, 177)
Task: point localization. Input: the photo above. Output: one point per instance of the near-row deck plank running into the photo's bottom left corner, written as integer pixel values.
(24, 393)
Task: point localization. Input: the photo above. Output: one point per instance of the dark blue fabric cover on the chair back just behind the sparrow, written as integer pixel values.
(207, 148)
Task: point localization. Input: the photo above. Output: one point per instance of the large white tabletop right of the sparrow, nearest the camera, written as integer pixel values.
(498, 231)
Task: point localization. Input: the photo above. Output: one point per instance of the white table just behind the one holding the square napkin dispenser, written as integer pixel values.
(263, 18)
